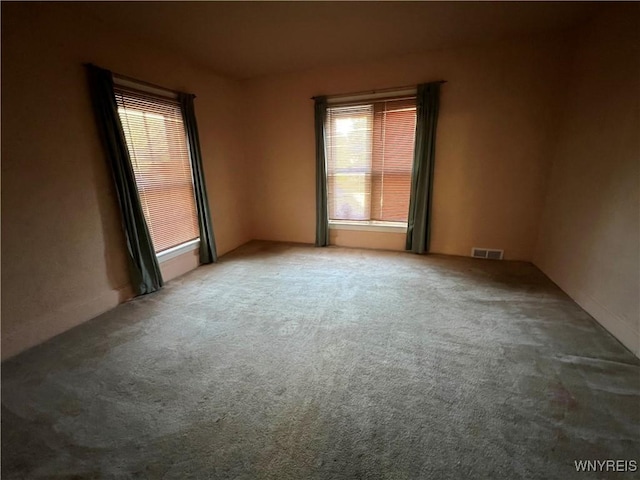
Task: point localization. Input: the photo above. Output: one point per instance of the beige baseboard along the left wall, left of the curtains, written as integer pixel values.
(45, 327)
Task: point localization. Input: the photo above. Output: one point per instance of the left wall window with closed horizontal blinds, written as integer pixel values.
(157, 144)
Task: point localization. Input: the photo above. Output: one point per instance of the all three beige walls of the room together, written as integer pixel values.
(507, 111)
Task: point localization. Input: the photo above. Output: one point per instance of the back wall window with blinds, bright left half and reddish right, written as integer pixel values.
(369, 160)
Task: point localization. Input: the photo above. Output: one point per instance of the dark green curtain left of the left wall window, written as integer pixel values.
(143, 265)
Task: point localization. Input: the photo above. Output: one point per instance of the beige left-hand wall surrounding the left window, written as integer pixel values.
(62, 248)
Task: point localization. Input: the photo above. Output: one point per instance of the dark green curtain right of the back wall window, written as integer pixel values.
(419, 222)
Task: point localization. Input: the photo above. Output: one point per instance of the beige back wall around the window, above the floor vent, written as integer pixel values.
(497, 116)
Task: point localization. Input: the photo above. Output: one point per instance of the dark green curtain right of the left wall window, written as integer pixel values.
(208, 252)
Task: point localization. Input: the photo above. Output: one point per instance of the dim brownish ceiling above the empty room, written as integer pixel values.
(250, 39)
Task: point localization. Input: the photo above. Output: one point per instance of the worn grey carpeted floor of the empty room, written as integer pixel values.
(290, 362)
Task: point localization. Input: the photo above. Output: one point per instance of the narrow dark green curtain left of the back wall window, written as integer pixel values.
(322, 216)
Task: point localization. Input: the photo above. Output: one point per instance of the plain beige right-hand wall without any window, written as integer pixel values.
(589, 238)
